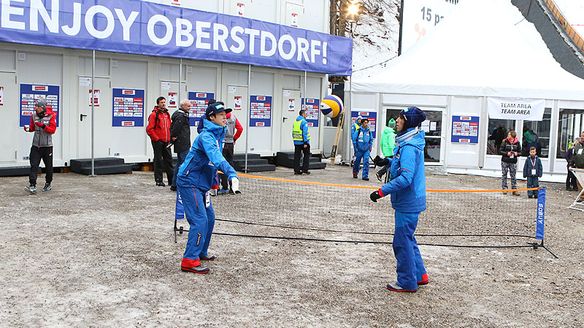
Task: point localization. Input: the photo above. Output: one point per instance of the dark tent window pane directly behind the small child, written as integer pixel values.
(537, 134)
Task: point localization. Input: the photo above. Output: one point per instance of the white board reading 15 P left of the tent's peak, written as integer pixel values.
(420, 17)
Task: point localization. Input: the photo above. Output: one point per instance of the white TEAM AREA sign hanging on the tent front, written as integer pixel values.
(516, 109)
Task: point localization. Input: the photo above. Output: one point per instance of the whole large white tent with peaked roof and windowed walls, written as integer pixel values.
(485, 49)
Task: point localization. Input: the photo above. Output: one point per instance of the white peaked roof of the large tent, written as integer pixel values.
(481, 50)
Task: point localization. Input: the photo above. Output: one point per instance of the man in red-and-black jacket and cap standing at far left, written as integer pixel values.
(44, 124)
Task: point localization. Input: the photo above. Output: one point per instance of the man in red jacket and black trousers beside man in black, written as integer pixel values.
(158, 130)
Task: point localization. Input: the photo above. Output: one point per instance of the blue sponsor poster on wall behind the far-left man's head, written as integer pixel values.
(30, 93)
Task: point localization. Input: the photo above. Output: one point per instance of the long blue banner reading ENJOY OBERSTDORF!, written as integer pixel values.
(145, 28)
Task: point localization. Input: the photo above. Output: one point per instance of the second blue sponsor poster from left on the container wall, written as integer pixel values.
(128, 107)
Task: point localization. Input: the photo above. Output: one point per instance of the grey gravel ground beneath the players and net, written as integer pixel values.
(100, 252)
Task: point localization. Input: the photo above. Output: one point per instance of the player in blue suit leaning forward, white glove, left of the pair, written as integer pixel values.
(195, 178)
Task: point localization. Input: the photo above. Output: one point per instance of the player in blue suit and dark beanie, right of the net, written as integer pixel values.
(408, 198)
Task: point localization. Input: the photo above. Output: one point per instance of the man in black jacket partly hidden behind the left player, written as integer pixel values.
(180, 135)
